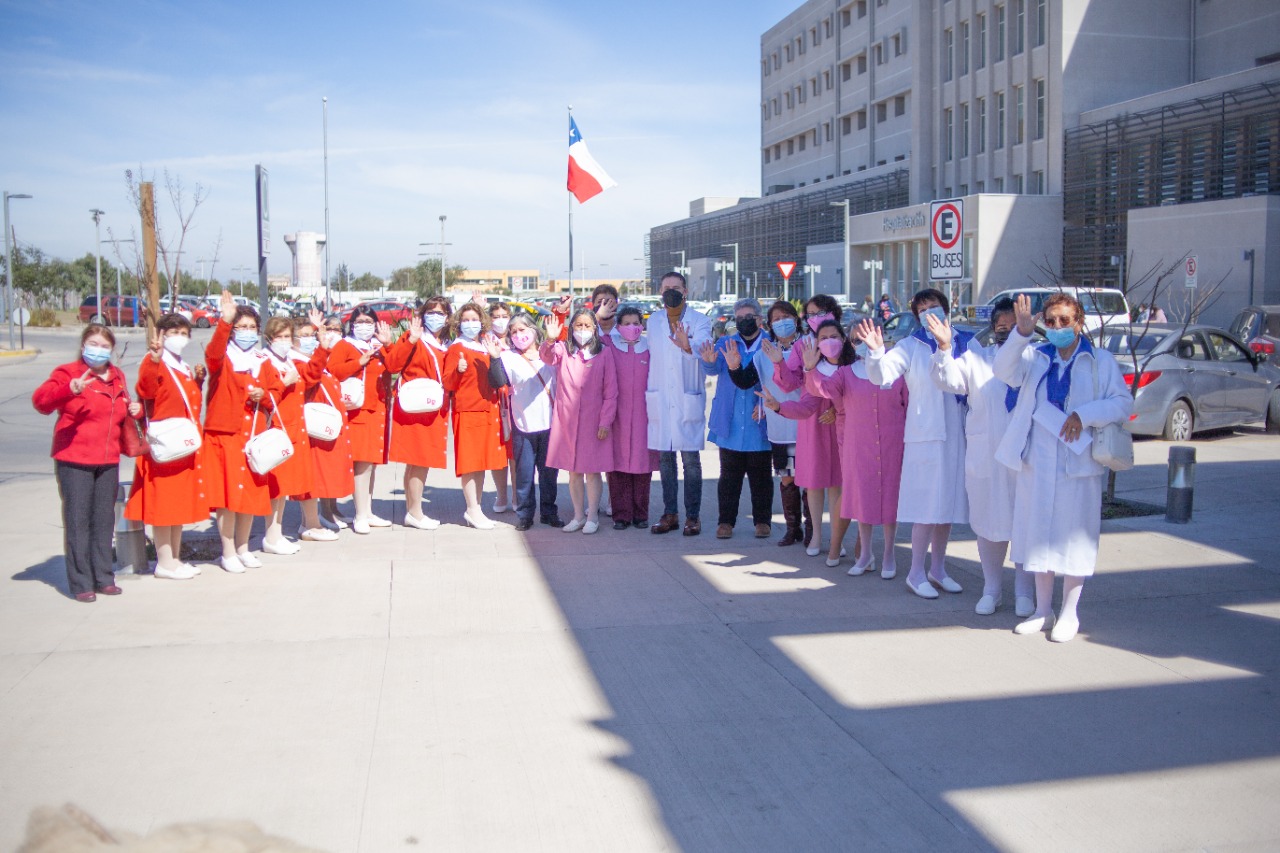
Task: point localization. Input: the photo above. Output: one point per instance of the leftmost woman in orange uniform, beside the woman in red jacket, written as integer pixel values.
(170, 495)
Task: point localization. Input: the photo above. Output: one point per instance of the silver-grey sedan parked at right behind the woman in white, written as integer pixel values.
(1194, 378)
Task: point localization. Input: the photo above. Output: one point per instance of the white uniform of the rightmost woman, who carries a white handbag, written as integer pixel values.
(1058, 494)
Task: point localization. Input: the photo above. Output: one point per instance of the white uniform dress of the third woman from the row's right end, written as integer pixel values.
(934, 450)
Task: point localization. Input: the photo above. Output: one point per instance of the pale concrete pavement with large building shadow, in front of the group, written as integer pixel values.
(481, 691)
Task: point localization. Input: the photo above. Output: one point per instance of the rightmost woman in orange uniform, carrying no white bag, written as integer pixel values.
(477, 427)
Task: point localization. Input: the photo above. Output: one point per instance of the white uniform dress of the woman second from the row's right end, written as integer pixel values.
(989, 485)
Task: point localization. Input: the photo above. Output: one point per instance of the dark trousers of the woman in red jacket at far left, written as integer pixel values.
(89, 523)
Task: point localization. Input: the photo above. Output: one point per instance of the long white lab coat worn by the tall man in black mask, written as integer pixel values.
(676, 396)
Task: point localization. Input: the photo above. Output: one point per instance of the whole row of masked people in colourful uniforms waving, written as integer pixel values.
(938, 431)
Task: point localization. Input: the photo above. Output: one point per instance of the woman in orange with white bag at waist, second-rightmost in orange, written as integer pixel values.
(419, 439)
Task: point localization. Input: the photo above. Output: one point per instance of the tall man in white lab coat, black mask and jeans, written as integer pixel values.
(676, 402)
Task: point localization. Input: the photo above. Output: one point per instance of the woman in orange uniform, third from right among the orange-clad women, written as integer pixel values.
(362, 354)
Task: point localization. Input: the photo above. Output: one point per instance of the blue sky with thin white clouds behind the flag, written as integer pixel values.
(455, 110)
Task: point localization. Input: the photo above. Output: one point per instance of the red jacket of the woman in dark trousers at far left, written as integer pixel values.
(89, 425)
